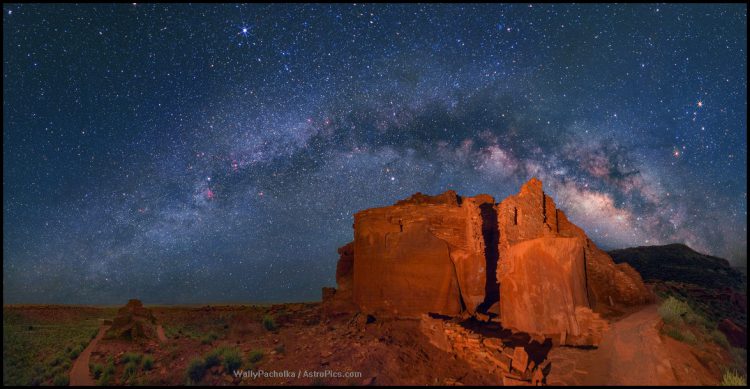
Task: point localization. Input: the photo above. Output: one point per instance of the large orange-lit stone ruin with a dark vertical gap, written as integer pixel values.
(520, 261)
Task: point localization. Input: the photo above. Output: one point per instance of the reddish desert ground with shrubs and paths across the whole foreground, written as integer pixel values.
(298, 344)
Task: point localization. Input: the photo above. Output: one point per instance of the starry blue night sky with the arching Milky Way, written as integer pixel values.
(203, 153)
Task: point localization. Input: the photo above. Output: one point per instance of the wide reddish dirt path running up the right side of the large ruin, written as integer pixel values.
(631, 353)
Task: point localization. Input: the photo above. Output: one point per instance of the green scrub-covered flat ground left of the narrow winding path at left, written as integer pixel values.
(37, 349)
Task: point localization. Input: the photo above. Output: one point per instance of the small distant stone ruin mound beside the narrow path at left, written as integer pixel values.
(133, 322)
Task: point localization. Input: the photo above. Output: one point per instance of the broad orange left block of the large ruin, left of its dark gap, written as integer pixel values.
(424, 254)
